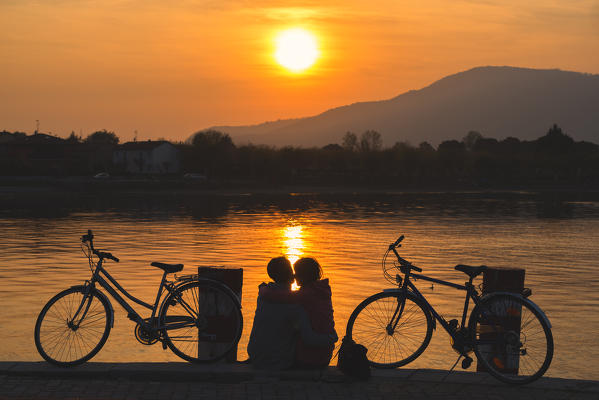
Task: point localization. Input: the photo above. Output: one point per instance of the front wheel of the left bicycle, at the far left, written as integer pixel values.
(72, 327)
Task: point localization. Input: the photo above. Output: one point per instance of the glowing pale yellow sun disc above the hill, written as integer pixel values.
(296, 49)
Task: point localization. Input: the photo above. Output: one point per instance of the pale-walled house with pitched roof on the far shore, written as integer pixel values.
(151, 157)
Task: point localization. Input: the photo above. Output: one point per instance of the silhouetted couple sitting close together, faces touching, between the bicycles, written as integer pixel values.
(293, 329)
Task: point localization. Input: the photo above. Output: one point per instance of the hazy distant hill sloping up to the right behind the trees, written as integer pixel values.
(496, 101)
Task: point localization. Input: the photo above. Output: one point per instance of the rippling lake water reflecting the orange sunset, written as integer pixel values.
(554, 238)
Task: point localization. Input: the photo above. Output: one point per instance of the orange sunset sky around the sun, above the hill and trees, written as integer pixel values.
(170, 68)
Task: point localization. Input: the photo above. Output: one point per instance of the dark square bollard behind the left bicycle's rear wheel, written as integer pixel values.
(233, 278)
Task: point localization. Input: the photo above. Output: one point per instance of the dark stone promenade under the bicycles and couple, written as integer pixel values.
(172, 381)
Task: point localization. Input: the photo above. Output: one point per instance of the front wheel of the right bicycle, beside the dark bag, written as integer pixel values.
(391, 342)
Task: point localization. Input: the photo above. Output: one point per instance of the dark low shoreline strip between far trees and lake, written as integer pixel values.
(180, 186)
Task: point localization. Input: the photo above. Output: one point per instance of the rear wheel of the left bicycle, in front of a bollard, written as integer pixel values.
(201, 321)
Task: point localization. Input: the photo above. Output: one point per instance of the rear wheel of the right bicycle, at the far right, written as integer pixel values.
(512, 339)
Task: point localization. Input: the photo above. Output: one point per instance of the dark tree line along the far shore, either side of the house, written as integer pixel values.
(474, 160)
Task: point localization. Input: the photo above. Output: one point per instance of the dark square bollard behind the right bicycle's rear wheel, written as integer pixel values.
(505, 280)
